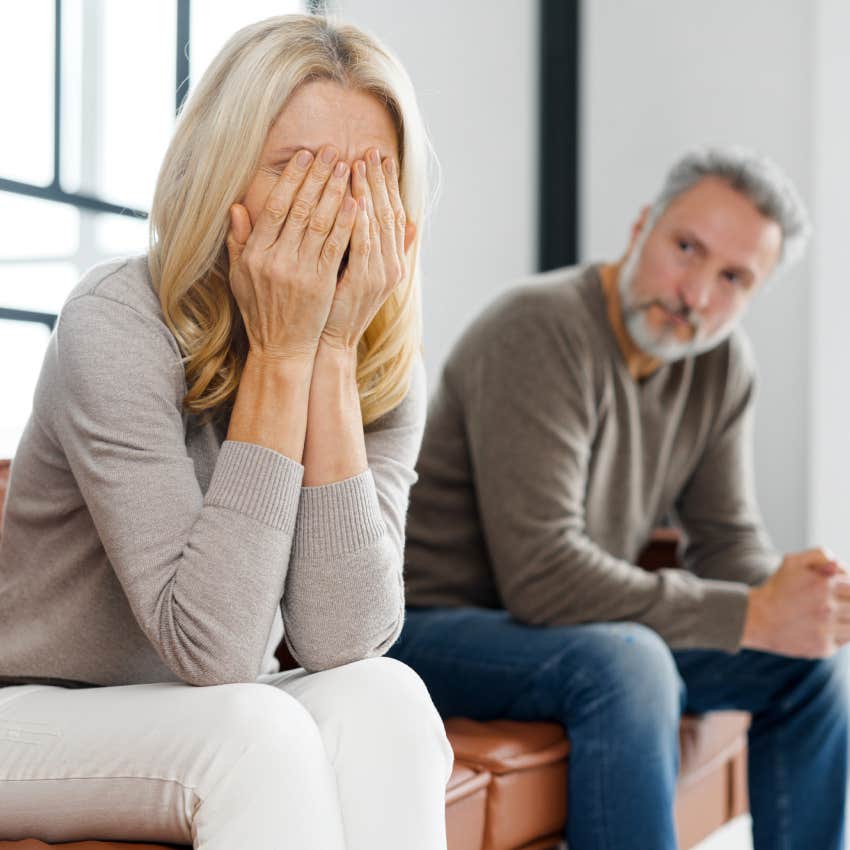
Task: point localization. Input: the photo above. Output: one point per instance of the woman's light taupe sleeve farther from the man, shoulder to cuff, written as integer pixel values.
(203, 574)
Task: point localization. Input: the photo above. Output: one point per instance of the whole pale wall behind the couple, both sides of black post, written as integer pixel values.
(657, 77)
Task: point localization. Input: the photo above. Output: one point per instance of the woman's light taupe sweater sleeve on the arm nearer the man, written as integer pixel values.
(344, 596)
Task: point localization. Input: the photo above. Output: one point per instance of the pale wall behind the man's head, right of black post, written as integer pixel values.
(661, 76)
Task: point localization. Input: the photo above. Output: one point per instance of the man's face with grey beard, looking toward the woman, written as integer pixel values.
(688, 277)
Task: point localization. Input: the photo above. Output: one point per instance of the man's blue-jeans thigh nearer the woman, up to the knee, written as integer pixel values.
(482, 663)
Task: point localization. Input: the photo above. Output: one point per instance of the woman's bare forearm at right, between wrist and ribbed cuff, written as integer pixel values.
(334, 448)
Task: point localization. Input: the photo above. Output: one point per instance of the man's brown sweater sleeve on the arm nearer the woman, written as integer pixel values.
(530, 418)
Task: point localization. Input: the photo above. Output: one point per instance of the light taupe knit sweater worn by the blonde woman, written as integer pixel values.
(139, 546)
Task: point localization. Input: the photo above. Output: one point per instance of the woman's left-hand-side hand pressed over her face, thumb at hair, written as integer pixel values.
(283, 272)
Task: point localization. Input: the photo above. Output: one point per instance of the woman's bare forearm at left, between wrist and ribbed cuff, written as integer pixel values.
(271, 404)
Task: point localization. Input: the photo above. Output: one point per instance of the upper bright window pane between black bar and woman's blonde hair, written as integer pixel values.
(123, 57)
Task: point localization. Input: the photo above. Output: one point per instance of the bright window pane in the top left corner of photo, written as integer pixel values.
(26, 92)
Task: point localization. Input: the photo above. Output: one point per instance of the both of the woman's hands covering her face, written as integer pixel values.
(284, 272)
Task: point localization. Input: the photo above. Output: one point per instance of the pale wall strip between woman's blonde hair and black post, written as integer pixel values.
(474, 66)
